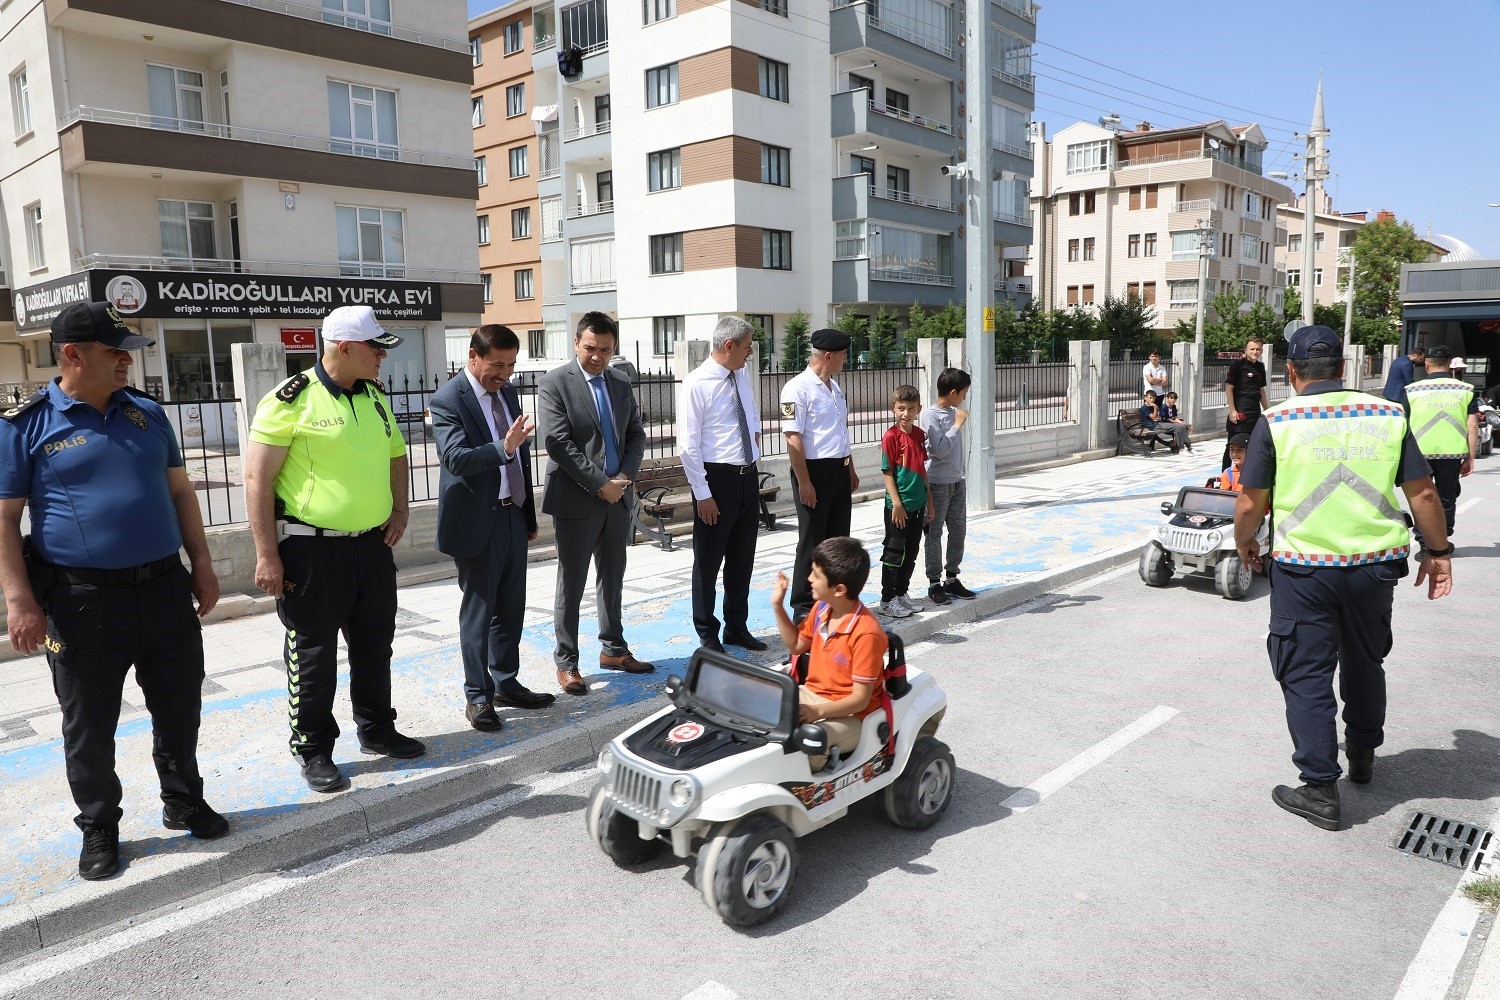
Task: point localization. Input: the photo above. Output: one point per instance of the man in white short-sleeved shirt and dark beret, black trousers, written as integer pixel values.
(815, 421)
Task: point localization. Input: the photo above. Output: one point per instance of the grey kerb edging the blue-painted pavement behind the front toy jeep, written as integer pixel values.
(365, 813)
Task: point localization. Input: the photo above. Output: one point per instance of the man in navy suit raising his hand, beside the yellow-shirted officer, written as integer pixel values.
(487, 518)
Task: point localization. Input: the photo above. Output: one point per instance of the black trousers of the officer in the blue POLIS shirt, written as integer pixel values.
(95, 635)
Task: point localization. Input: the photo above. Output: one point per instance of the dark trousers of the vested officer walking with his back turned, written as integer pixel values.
(1334, 617)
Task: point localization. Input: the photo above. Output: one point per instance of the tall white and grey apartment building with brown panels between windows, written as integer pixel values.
(701, 161)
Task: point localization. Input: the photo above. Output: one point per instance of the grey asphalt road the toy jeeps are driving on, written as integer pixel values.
(1153, 866)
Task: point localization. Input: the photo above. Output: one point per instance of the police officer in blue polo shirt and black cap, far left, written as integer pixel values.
(100, 584)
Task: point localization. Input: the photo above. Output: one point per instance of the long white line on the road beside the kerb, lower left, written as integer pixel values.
(275, 885)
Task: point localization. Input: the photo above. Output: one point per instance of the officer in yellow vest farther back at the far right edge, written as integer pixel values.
(1444, 413)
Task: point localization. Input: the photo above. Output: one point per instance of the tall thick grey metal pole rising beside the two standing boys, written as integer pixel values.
(979, 260)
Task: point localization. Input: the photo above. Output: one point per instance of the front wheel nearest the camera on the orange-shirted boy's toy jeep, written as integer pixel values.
(748, 872)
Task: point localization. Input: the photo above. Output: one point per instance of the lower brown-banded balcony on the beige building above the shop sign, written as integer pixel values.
(100, 140)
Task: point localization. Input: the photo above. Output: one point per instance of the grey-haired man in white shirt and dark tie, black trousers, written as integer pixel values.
(719, 442)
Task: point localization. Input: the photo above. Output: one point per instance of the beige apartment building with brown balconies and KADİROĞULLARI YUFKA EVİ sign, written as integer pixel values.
(232, 170)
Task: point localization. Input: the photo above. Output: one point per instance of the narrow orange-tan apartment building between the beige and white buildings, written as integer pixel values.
(509, 218)
